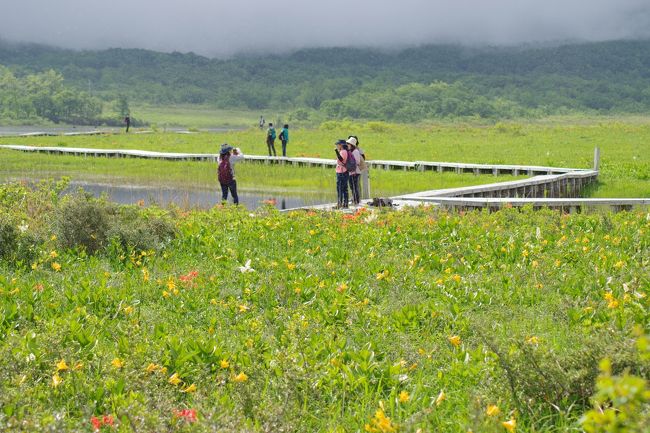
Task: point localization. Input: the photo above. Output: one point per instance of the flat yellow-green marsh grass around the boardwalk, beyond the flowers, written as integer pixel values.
(625, 152)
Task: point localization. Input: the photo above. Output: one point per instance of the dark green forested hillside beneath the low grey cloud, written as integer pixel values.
(427, 82)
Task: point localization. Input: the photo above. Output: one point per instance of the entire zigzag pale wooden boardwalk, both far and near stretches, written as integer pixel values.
(552, 187)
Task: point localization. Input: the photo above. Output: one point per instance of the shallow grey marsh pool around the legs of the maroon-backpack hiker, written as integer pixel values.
(190, 198)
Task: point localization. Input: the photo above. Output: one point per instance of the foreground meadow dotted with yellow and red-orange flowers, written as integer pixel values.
(125, 319)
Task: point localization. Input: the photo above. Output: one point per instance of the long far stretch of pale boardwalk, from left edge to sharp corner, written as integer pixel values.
(477, 169)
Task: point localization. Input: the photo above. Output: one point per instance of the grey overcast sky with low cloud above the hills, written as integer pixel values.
(221, 28)
